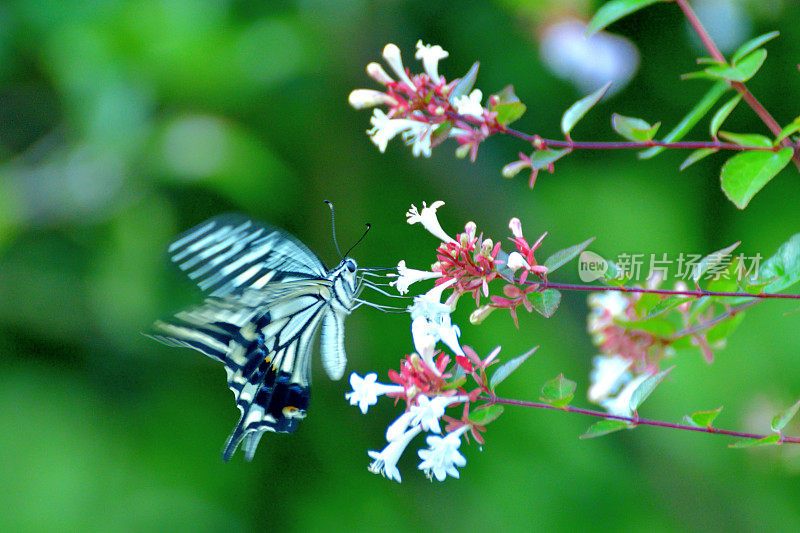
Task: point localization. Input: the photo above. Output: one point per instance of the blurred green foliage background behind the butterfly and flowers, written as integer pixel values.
(125, 123)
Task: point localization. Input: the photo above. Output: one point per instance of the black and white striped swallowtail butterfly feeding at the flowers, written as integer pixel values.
(268, 297)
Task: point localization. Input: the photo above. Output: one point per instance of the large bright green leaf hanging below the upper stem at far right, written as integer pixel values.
(743, 175)
